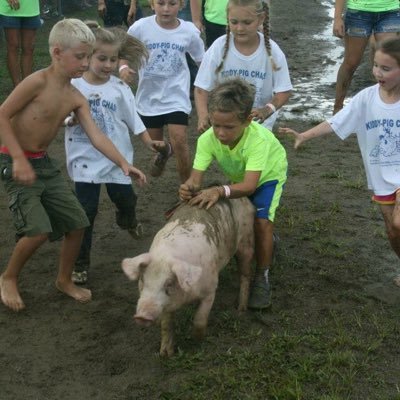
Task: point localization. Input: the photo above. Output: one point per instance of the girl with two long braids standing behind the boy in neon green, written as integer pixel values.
(245, 53)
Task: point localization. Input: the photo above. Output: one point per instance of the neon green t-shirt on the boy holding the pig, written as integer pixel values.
(257, 150)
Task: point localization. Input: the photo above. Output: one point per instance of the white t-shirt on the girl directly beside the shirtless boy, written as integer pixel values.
(112, 106)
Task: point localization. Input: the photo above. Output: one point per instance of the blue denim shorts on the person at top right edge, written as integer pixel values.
(364, 24)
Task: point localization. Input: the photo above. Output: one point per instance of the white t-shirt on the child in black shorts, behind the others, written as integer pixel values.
(164, 82)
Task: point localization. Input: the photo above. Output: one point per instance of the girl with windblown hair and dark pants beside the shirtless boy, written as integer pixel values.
(112, 106)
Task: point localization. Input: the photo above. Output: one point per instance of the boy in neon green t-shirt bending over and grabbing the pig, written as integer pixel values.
(253, 160)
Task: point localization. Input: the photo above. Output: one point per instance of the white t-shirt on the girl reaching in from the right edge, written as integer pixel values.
(377, 125)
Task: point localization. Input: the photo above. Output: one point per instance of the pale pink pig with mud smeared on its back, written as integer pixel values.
(184, 261)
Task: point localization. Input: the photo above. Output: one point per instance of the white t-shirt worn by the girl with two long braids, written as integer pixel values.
(255, 69)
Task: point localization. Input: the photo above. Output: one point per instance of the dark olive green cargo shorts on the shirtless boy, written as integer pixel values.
(48, 206)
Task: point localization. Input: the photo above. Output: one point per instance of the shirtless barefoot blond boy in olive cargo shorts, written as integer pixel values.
(42, 204)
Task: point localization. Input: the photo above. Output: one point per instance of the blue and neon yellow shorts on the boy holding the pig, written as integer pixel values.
(266, 199)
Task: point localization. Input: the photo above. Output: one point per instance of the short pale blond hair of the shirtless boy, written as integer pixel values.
(69, 32)
